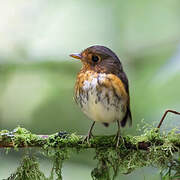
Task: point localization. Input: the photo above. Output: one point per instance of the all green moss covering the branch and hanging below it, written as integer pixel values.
(152, 148)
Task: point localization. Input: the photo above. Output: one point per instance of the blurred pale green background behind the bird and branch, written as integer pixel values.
(37, 75)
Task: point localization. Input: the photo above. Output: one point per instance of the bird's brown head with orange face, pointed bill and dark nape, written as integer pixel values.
(102, 60)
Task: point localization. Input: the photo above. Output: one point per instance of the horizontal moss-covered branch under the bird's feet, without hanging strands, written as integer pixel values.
(22, 138)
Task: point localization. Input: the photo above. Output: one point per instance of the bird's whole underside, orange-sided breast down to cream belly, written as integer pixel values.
(102, 97)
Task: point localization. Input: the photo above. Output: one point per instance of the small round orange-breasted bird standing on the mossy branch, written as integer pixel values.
(102, 89)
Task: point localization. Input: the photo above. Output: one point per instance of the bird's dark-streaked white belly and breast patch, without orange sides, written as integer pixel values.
(102, 106)
